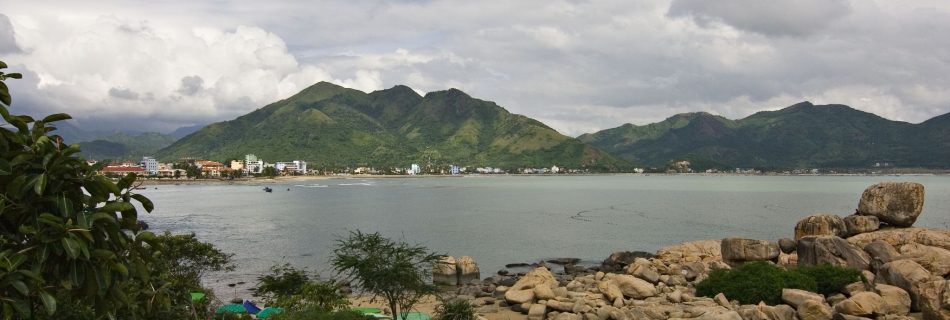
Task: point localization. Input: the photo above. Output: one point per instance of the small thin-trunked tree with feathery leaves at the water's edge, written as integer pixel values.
(397, 272)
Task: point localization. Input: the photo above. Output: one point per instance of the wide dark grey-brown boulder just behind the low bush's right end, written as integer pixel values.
(815, 250)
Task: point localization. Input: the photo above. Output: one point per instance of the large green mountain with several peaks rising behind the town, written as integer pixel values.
(329, 125)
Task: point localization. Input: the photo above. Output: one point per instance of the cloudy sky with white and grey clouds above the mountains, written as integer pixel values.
(579, 66)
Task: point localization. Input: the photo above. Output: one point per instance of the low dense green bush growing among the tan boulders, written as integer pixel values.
(753, 282)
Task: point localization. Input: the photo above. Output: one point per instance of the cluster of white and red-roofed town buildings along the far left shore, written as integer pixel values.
(251, 165)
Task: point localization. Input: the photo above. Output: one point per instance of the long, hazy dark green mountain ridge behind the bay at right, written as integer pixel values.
(799, 136)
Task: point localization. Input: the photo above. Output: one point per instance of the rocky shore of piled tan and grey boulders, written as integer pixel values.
(906, 271)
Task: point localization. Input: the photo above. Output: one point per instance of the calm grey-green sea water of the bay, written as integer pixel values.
(499, 219)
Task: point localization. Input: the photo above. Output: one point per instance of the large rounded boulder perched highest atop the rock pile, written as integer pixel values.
(895, 203)
